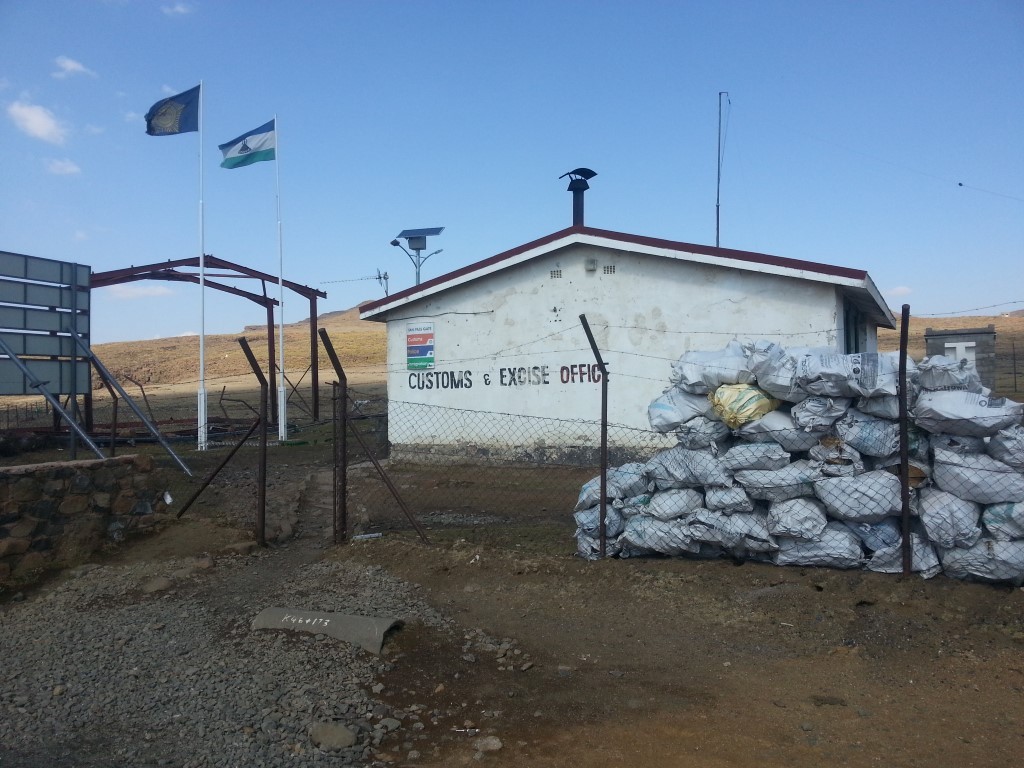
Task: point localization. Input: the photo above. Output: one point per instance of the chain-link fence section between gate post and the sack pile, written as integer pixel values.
(507, 476)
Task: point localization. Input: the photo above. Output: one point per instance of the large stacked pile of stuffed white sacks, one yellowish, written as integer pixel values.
(792, 457)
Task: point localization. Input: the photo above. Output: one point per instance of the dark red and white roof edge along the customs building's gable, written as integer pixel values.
(727, 253)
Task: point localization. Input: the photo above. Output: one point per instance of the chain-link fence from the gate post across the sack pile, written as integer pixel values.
(795, 458)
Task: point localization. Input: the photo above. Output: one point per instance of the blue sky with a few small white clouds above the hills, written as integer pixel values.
(887, 137)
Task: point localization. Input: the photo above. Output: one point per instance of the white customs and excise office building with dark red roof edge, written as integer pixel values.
(494, 356)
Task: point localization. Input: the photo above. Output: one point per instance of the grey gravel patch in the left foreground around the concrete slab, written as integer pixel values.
(157, 665)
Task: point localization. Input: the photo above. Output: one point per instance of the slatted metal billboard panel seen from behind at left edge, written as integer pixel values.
(44, 306)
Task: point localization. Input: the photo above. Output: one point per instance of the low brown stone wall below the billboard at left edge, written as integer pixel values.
(63, 513)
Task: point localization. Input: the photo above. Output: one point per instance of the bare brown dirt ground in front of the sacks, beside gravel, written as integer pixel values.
(657, 662)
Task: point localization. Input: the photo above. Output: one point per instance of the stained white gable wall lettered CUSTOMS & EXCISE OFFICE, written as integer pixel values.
(513, 344)
